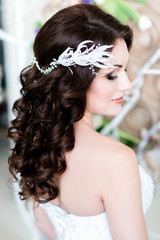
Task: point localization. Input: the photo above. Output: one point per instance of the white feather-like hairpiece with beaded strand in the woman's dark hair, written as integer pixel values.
(93, 56)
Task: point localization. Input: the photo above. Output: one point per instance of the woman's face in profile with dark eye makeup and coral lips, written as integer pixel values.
(107, 90)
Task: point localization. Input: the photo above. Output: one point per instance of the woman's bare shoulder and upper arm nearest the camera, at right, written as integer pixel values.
(120, 190)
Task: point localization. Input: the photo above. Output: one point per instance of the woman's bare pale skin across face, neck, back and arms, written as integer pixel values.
(102, 174)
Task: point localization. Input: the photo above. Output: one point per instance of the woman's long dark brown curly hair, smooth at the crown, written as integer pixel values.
(43, 128)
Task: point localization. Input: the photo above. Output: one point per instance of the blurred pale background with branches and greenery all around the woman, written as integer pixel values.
(137, 125)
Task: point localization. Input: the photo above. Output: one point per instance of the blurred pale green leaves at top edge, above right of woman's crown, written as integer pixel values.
(121, 10)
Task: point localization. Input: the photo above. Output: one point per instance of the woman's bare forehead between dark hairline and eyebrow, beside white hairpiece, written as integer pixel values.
(120, 52)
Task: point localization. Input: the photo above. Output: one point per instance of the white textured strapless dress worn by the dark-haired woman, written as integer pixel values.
(72, 227)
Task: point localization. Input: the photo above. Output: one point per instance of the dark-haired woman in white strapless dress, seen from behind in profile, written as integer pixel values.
(85, 186)
